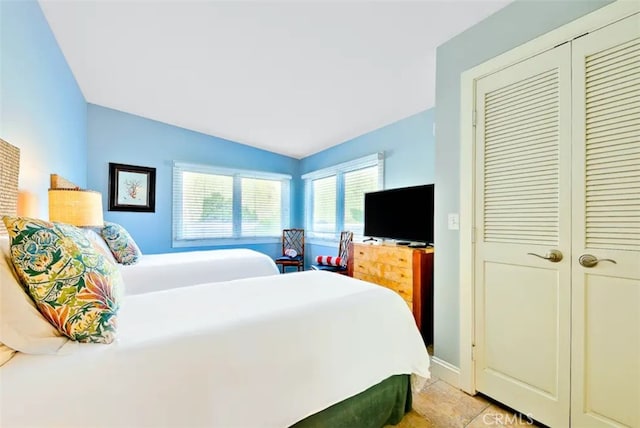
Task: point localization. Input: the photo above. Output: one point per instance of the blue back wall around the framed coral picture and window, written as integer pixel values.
(118, 137)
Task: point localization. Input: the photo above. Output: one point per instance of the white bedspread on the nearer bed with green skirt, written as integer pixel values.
(259, 352)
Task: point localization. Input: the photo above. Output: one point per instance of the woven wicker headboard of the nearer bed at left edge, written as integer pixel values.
(9, 170)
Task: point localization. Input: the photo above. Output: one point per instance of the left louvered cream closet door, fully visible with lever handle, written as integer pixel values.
(523, 214)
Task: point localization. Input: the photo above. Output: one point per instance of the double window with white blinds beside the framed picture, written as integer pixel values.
(212, 204)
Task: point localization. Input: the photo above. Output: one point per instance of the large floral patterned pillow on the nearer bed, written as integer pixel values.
(71, 282)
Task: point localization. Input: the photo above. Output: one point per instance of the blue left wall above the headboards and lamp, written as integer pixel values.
(42, 110)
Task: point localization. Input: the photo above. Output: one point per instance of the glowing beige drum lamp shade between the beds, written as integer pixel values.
(78, 207)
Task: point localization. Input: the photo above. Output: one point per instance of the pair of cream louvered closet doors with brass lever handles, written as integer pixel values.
(557, 220)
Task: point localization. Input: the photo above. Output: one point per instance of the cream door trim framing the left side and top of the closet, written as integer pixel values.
(597, 19)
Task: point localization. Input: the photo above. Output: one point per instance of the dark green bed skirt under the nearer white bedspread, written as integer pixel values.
(382, 404)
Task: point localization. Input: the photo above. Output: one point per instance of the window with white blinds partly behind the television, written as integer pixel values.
(335, 196)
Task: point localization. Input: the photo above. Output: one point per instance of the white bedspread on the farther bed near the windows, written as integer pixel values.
(163, 271)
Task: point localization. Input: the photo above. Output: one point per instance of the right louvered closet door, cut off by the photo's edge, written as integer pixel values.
(605, 366)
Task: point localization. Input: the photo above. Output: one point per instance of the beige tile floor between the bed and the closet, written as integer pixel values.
(440, 405)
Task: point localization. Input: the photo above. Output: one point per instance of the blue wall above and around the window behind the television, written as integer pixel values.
(409, 159)
